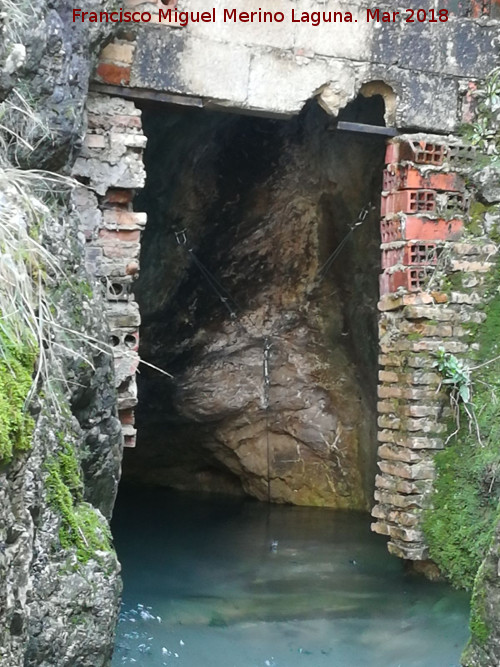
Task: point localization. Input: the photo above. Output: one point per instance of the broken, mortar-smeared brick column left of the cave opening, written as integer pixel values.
(110, 165)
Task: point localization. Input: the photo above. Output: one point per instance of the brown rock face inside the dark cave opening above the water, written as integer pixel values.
(263, 203)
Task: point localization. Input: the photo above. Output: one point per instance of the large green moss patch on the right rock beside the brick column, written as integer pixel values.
(467, 488)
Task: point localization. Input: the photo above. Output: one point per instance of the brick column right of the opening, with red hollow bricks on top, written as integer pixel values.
(423, 208)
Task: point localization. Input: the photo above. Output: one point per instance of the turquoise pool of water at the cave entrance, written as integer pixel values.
(203, 587)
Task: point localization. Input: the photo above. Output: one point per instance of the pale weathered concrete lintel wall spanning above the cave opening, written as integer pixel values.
(274, 68)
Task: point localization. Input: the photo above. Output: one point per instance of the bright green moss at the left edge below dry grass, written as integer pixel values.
(16, 367)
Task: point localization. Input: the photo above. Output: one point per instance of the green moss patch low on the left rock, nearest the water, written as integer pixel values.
(81, 526)
